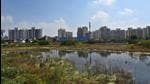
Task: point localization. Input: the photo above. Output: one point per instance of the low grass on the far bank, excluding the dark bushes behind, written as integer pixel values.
(80, 46)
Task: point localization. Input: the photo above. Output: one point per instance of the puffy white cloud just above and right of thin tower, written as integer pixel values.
(100, 16)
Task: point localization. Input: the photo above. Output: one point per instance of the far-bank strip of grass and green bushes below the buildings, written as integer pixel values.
(136, 45)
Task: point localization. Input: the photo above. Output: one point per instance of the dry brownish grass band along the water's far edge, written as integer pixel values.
(100, 46)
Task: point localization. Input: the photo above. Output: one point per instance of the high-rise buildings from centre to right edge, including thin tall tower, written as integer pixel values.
(104, 34)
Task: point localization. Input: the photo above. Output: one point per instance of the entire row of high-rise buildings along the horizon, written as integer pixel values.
(84, 33)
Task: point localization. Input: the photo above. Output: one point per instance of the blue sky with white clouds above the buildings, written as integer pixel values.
(50, 15)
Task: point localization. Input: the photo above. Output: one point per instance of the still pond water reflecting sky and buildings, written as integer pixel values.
(106, 62)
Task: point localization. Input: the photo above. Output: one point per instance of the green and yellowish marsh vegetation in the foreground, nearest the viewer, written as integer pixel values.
(21, 68)
